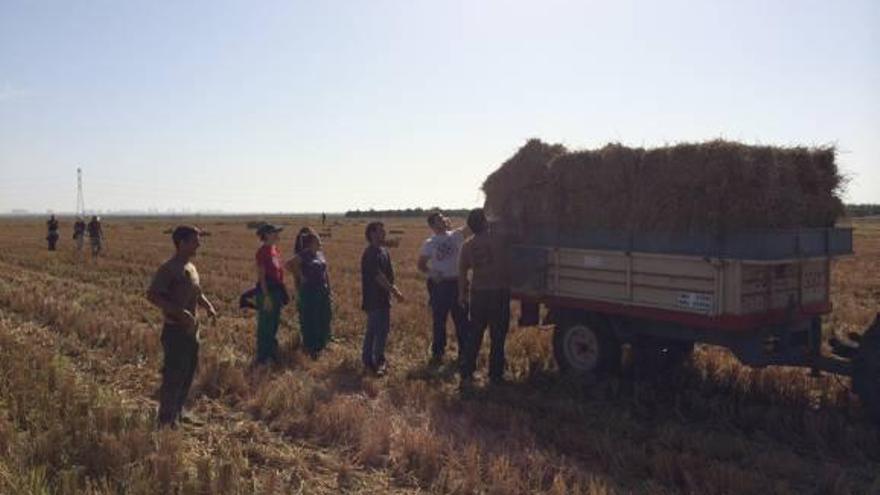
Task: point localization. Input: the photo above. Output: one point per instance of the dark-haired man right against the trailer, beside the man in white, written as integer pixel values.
(486, 257)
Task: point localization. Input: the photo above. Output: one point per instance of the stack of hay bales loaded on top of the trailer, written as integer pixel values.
(714, 187)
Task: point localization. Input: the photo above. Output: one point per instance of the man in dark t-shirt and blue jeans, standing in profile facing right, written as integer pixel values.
(377, 284)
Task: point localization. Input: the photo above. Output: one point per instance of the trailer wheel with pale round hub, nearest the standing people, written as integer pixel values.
(581, 348)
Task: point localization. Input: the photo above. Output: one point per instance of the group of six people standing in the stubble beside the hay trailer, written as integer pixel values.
(467, 277)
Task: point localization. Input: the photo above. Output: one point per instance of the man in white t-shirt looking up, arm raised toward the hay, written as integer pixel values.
(438, 259)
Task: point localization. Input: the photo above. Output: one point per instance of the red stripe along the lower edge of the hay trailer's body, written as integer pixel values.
(722, 322)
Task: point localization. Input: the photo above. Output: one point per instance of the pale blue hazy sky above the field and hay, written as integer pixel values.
(291, 106)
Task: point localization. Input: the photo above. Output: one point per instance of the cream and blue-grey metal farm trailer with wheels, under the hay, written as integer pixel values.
(759, 294)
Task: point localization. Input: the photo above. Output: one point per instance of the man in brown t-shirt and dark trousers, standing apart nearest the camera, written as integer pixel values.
(176, 291)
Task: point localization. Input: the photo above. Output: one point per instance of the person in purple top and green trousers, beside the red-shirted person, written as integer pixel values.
(309, 269)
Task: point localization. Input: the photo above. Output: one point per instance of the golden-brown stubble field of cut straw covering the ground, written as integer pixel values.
(80, 356)
